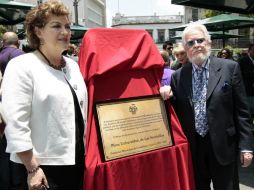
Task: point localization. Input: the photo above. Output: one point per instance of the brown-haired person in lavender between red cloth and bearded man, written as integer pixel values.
(167, 72)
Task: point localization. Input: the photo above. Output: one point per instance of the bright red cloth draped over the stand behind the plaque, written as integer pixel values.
(122, 63)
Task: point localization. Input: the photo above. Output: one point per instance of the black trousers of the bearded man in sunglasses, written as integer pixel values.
(207, 169)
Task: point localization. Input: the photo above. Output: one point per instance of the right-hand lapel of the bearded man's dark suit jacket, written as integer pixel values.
(214, 76)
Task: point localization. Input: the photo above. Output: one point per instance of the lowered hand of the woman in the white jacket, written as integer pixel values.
(37, 180)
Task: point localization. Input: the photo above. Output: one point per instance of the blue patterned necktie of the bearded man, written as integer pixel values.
(199, 95)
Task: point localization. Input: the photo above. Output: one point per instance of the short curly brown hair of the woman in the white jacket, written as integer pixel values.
(39, 16)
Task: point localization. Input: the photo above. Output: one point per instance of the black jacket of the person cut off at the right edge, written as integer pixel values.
(247, 69)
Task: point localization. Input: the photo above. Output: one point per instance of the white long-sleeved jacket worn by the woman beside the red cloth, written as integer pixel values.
(39, 108)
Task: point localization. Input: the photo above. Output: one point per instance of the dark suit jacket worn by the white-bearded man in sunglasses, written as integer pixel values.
(227, 111)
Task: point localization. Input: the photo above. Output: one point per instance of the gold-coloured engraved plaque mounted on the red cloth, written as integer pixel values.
(132, 126)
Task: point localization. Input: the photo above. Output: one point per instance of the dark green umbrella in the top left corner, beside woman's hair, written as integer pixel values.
(12, 12)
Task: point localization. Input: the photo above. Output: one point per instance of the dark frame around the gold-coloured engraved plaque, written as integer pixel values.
(97, 123)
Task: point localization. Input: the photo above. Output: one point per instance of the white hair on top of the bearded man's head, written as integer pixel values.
(196, 26)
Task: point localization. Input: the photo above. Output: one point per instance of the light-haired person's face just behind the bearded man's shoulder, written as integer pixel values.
(180, 55)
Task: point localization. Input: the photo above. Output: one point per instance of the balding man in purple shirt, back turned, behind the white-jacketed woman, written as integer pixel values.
(9, 50)
